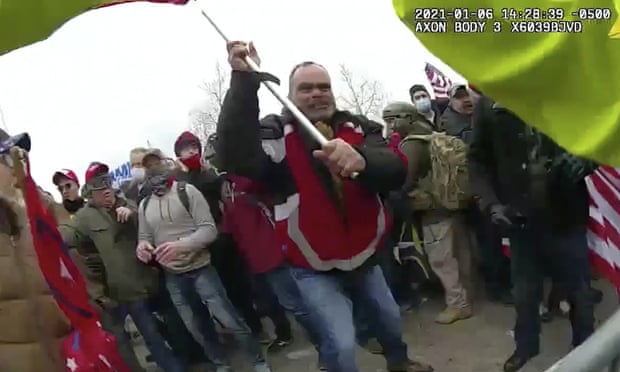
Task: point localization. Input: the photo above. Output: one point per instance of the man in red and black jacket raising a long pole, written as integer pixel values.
(328, 225)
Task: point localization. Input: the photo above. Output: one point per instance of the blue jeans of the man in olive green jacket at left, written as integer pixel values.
(146, 324)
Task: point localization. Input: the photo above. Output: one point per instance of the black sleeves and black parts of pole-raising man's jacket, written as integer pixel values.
(242, 137)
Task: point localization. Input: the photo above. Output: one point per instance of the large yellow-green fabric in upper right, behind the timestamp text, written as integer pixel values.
(566, 85)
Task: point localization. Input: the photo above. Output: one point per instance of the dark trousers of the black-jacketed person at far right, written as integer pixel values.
(567, 253)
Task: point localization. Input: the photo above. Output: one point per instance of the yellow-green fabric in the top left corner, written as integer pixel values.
(24, 22)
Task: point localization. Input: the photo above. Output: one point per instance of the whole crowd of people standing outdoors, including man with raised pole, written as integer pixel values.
(263, 221)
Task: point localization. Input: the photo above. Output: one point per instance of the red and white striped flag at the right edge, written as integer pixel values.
(604, 223)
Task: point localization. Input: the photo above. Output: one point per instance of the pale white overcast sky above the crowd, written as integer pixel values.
(113, 78)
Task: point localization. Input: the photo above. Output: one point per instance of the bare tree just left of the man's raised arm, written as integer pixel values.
(203, 117)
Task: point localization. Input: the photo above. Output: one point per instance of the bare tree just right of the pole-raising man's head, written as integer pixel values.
(362, 96)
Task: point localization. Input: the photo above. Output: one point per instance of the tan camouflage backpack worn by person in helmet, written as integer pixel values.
(449, 176)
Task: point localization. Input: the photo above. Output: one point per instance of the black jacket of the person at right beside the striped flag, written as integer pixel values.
(499, 169)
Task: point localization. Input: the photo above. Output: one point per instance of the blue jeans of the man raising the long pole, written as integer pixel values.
(330, 298)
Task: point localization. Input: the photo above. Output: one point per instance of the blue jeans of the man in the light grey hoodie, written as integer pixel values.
(206, 283)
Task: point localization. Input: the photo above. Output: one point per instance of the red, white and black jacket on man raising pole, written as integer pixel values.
(311, 229)
